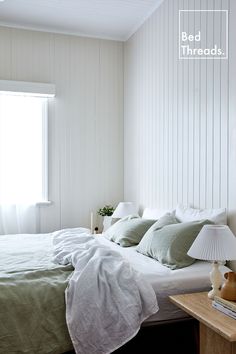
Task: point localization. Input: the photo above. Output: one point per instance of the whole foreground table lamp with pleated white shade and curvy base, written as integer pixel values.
(214, 243)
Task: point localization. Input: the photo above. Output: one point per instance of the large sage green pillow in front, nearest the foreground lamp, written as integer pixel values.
(170, 244)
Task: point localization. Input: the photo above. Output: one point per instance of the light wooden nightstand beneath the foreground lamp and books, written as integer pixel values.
(217, 330)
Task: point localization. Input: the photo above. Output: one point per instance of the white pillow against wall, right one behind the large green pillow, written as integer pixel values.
(185, 214)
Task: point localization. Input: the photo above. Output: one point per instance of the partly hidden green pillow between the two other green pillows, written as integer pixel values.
(145, 245)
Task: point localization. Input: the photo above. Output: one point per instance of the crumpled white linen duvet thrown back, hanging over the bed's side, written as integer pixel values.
(106, 299)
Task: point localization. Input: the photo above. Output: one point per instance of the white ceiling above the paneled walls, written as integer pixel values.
(111, 19)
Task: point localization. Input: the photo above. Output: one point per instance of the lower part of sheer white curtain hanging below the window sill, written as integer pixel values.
(18, 218)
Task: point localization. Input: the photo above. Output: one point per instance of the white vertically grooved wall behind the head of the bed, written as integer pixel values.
(180, 116)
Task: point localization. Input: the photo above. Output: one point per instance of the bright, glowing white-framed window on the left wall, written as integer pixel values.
(23, 148)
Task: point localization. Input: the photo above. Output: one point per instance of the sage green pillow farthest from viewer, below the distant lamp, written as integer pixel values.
(128, 231)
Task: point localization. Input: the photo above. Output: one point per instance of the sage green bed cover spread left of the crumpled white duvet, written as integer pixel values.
(32, 296)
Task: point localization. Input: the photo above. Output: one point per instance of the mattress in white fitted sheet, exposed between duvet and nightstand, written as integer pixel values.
(165, 281)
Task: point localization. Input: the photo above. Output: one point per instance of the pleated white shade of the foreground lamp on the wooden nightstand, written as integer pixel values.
(214, 243)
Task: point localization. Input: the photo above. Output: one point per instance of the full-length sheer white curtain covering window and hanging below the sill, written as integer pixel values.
(21, 162)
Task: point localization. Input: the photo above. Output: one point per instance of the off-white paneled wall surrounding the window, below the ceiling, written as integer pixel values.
(85, 119)
